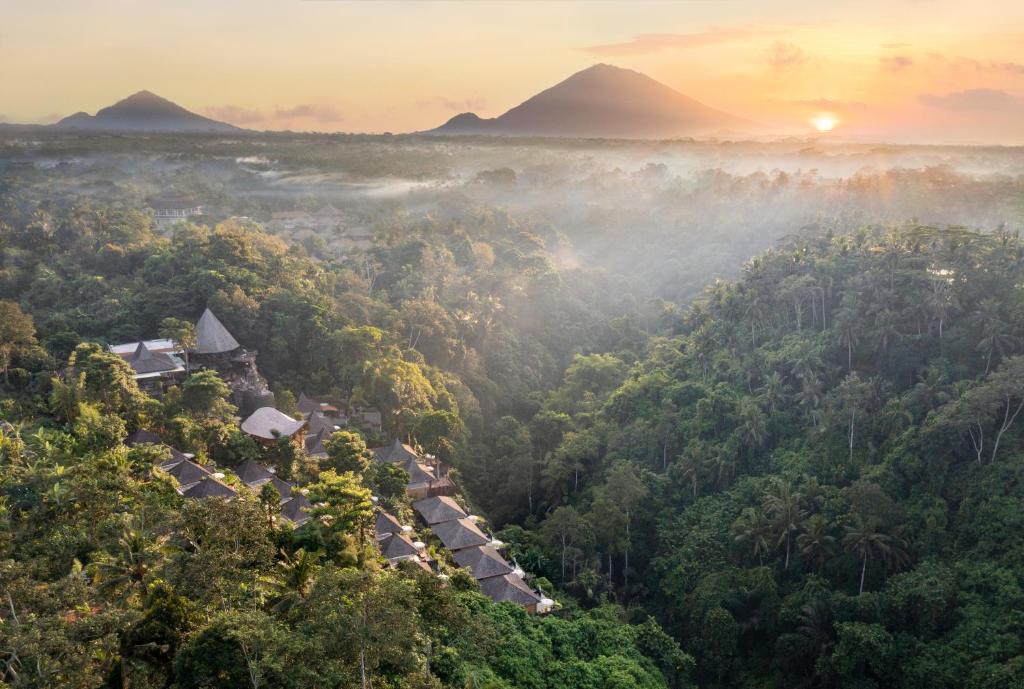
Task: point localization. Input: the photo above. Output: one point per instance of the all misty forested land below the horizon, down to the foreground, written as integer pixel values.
(734, 414)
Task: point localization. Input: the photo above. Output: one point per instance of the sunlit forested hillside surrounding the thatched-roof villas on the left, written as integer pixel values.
(111, 579)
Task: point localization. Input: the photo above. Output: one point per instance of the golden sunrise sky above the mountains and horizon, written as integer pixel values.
(880, 70)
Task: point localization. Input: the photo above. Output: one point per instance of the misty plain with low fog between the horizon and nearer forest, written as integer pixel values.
(673, 216)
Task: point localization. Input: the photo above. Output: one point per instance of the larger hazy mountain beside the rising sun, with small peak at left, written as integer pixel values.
(603, 102)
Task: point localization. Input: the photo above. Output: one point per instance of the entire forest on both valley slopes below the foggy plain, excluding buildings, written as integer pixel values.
(814, 478)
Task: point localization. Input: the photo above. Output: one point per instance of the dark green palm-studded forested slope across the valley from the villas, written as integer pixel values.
(820, 483)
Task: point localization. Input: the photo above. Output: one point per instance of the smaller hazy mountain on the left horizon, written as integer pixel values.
(145, 112)
